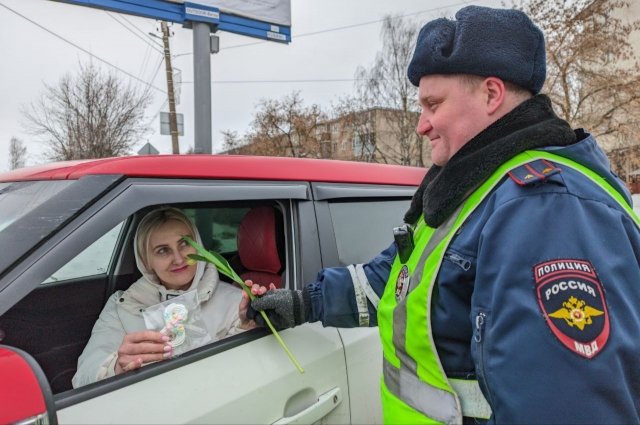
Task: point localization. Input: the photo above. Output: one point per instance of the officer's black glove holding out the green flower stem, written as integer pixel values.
(285, 308)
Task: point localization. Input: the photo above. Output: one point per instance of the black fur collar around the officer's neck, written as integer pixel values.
(531, 125)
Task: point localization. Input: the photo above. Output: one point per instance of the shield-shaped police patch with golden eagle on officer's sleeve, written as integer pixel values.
(572, 301)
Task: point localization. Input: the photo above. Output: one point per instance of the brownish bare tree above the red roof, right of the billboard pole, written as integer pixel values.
(281, 127)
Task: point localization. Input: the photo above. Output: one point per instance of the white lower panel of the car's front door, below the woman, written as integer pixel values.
(258, 389)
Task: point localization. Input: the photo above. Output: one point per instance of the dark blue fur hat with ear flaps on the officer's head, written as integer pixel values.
(482, 41)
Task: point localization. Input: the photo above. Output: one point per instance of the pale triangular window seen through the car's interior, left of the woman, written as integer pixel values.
(92, 261)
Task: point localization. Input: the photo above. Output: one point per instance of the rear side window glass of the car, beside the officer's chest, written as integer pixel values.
(364, 228)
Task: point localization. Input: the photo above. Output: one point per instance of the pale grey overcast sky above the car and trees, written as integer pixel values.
(330, 39)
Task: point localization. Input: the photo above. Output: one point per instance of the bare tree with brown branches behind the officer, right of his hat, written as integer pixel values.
(593, 75)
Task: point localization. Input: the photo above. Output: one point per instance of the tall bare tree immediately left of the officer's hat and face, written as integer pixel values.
(384, 85)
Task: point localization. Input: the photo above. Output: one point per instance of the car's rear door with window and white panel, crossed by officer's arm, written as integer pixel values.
(355, 224)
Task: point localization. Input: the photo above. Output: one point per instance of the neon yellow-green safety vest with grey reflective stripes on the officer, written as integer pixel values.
(415, 387)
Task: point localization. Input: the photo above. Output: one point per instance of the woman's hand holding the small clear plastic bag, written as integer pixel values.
(142, 347)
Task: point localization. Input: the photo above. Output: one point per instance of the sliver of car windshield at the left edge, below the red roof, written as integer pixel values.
(19, 198)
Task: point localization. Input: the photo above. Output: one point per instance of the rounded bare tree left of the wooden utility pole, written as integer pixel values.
(88, 115)
